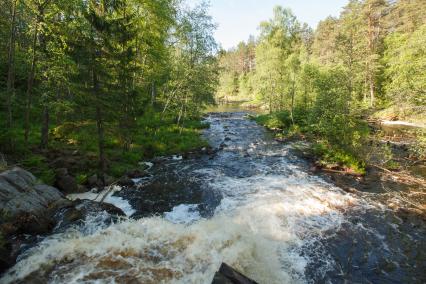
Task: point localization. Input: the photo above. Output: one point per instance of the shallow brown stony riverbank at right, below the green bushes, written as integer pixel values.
(402, 189)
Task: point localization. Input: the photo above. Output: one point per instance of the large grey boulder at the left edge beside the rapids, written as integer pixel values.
(25, 206)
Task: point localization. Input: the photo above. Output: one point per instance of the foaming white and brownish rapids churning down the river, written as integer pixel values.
(263, 226)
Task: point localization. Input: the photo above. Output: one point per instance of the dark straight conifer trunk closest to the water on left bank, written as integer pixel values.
(100, 128)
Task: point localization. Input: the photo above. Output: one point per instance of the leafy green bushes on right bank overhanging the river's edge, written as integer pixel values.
(328, 119)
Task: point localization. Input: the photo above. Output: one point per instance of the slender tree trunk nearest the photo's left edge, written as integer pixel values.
(10, 85)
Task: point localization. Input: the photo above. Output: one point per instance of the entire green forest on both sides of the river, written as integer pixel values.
(113, 82)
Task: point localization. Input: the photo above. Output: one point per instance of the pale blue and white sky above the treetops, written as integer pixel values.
(238, 19)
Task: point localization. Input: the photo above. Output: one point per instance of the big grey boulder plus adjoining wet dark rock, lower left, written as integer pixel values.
(31, 210)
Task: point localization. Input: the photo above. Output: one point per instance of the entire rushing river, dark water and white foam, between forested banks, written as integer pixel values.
(253, 205)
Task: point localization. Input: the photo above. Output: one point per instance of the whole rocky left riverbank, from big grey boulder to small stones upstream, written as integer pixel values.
(32, 210)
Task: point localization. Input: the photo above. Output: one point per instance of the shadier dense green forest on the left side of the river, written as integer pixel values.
(114, 80)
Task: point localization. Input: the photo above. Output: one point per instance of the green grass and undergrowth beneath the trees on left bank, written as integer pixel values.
(153, 135)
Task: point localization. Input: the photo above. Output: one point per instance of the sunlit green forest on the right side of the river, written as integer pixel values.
(368, 63)
